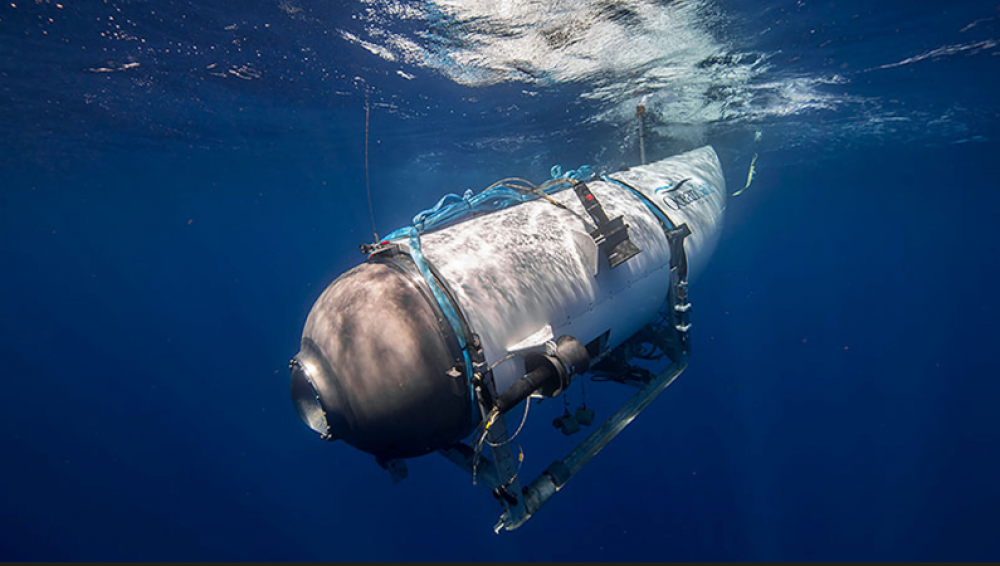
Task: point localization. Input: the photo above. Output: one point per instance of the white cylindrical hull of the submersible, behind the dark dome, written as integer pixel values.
(533, 271)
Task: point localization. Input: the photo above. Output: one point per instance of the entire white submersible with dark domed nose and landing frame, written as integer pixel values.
(491, 298)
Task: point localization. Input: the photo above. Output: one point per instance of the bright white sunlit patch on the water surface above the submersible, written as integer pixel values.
(665, 56)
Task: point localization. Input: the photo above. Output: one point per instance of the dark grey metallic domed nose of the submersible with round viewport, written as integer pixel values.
(377, 365)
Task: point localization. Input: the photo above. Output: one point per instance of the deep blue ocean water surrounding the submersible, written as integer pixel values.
(180, 182)
